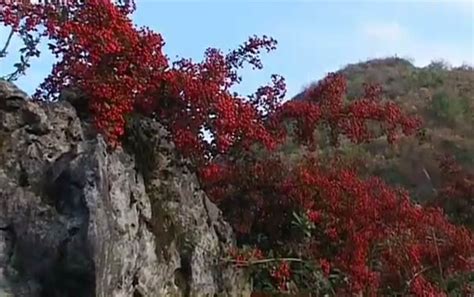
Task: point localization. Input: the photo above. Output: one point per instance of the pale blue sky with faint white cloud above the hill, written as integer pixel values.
(314, 37)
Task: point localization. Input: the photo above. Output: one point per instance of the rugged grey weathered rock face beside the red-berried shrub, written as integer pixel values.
(77, 220)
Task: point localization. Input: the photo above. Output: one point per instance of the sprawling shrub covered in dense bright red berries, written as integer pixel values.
(352, 236)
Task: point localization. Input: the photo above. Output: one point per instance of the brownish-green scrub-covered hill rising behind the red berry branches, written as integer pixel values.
(443, 96)
